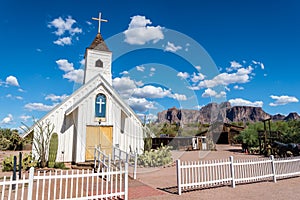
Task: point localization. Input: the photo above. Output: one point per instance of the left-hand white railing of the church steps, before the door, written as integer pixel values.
(101, 160)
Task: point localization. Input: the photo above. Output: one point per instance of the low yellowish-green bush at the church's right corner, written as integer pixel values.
(155, 158)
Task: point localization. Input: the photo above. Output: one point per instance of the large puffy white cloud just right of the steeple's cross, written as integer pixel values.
(139, 32)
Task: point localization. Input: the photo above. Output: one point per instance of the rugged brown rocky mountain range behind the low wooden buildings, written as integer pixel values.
(223, 112)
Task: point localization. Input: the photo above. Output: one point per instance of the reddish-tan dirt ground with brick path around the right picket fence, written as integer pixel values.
(160, 183)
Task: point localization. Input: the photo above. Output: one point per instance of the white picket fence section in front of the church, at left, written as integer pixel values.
(67, 184)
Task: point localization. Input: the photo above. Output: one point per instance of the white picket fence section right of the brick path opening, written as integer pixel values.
(212, 173)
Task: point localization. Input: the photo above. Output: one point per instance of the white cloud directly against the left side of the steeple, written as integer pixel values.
(75, 75)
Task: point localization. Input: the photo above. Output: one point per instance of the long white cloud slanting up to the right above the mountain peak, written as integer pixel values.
(241, 76)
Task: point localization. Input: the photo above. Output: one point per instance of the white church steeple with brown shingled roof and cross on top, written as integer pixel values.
(98, 58)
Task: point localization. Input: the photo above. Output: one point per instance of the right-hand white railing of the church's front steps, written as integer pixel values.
(123, 156)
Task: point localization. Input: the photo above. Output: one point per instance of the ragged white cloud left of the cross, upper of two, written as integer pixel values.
(63, 26)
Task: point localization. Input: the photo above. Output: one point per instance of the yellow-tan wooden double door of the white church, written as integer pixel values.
(98, 136)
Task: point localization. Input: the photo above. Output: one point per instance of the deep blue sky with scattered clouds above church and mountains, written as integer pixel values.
(165, 53)
